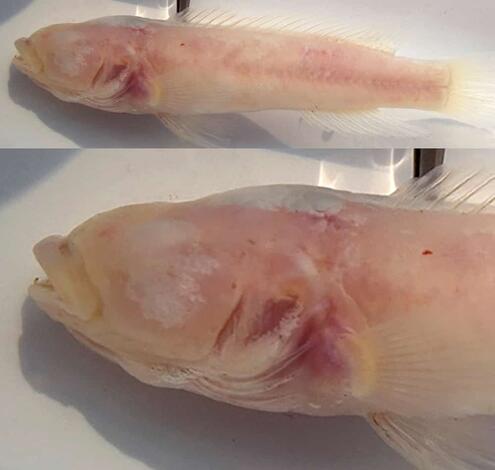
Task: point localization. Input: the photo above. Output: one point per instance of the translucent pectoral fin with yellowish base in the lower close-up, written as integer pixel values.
(424, 365)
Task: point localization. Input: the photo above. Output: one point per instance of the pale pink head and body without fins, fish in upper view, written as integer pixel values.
(150, 67)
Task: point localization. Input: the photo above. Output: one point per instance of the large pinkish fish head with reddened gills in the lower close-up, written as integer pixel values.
(220, 289)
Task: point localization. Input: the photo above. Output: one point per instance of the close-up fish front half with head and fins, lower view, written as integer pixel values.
(301, 299)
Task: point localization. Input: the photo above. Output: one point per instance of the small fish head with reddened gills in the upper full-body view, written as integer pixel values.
(89, 63)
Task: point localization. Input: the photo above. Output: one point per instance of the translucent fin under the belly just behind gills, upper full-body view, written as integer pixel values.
(203, 130)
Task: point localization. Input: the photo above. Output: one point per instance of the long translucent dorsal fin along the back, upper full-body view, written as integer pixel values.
(356, 34)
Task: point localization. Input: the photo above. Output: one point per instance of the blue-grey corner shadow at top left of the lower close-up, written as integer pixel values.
(21, 169)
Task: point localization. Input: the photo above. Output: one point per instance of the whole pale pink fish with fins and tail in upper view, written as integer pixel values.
(196, 70)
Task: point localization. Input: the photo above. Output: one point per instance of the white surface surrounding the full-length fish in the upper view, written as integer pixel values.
(427, 28)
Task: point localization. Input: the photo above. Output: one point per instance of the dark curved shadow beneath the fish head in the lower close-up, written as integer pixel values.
(172, 429)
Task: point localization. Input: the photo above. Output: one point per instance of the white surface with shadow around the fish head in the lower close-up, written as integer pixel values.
(64, 407)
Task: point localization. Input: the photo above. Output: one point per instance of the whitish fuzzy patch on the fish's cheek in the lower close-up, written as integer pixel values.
(169, 267)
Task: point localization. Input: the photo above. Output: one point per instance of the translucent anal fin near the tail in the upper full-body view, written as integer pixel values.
(379, 122)
